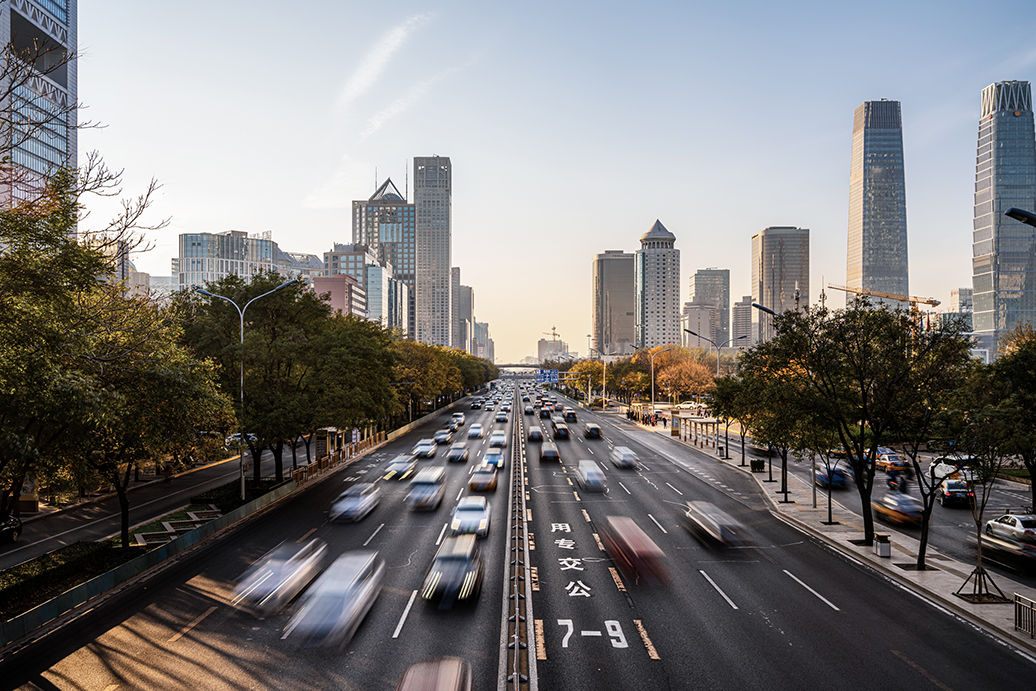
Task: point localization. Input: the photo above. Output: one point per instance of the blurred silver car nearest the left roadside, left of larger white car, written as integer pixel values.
(279, 575)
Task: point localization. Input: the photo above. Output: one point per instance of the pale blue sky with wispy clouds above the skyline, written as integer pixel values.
(572, 127)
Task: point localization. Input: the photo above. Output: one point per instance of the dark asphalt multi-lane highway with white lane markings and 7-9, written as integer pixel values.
(787, 613)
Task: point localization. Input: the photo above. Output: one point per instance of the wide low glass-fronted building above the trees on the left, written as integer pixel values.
(206, 257)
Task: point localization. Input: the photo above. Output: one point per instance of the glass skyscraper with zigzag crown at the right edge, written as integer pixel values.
(1004, 262)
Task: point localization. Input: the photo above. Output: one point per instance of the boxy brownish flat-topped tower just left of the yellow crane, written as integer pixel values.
(781, 275)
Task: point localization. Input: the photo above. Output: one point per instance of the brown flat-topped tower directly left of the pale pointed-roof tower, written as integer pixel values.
(614, 312)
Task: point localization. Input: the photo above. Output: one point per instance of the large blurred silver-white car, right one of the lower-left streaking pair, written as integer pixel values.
(335, 607)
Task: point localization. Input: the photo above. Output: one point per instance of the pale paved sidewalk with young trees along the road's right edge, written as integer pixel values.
(943, 578)
